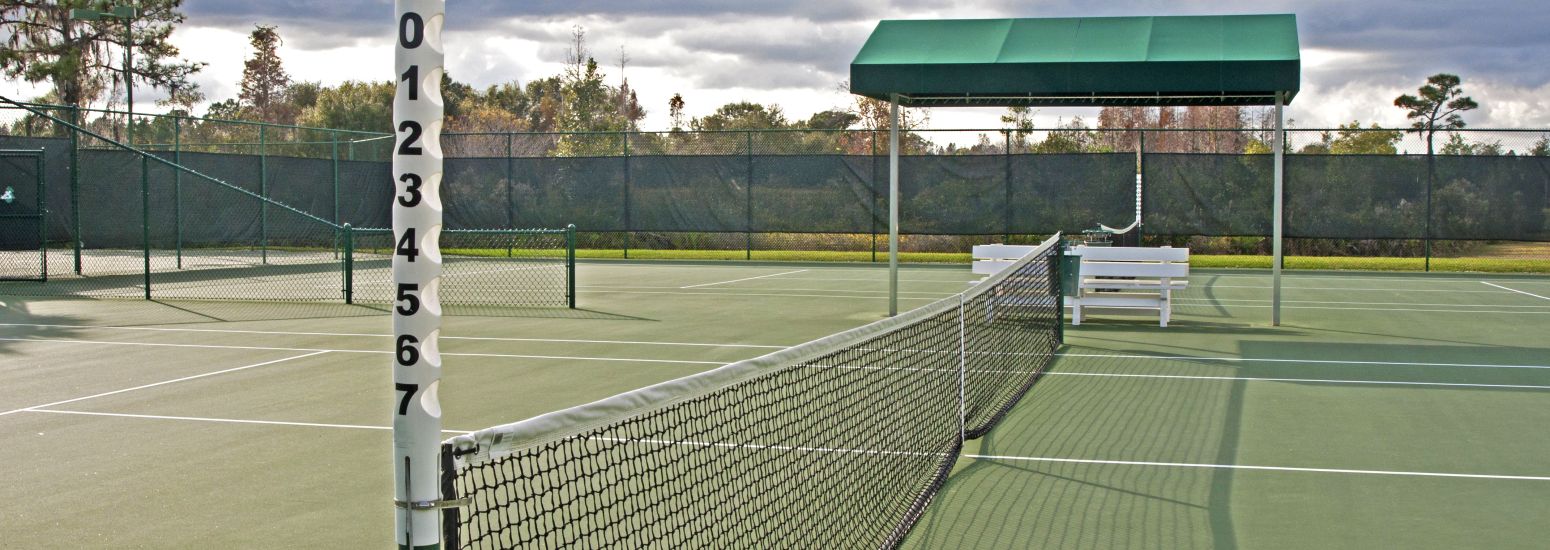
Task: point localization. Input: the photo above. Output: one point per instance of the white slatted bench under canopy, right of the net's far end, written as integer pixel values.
(1142, 278)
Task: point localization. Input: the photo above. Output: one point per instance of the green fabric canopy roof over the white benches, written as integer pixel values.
(1081, 61)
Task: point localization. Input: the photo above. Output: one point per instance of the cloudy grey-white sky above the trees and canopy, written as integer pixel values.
(1357, 57)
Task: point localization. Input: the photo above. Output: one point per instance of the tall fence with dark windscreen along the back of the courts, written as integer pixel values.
(822, 194)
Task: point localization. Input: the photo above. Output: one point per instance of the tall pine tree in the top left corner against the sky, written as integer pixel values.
(84, 60)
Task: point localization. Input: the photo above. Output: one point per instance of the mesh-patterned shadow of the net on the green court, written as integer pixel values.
(1024, 493)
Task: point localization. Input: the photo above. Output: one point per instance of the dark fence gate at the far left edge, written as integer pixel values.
(24, 255)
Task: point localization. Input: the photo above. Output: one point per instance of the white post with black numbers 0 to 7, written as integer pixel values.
(416, 272)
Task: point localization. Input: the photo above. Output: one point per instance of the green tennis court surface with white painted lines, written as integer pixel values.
(1388, 411)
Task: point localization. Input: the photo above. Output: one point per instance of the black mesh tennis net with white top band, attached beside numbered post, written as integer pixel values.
(839, 442)
